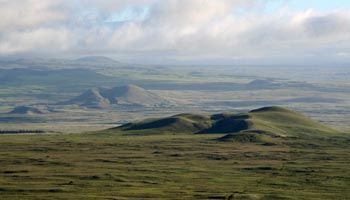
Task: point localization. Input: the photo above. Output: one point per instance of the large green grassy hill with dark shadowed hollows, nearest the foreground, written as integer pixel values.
(257, 125)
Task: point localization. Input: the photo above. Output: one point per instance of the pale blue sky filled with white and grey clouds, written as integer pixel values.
(179, 31)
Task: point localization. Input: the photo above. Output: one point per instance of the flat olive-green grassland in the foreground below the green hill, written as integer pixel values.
(116, 166)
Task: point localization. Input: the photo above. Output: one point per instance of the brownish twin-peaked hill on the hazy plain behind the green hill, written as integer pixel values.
(122, 95)
